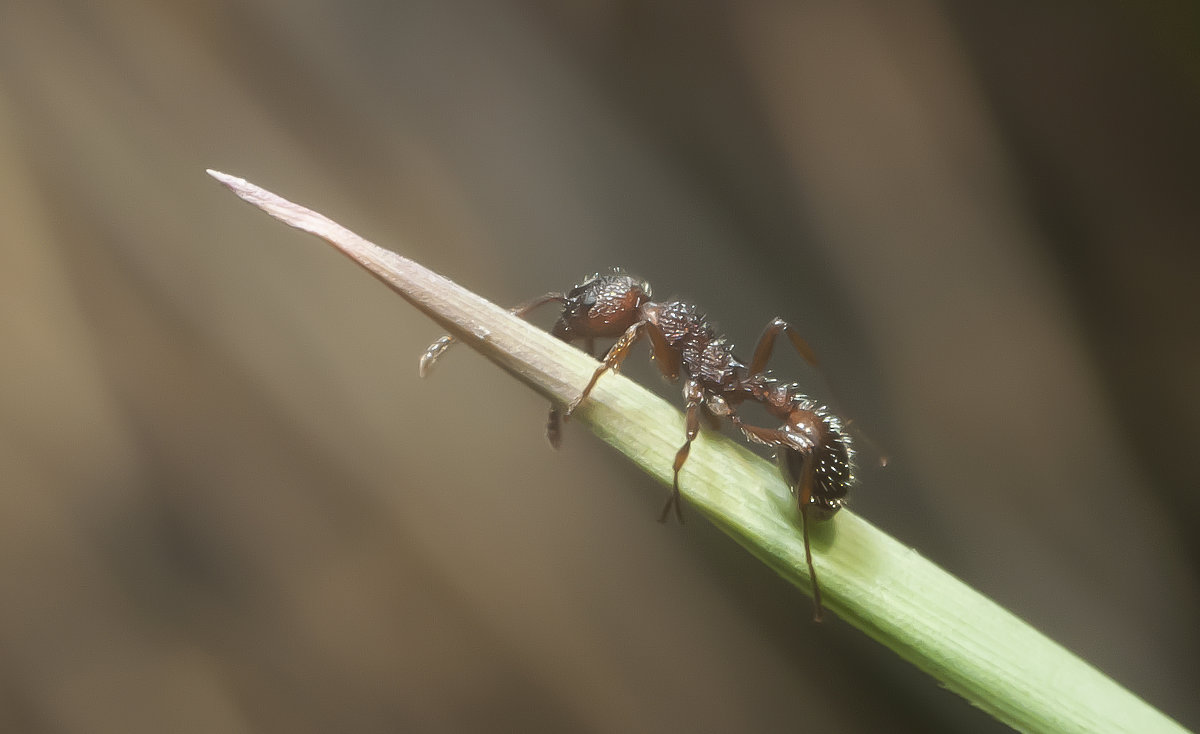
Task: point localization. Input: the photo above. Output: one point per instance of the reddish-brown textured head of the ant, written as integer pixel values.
(604, 305)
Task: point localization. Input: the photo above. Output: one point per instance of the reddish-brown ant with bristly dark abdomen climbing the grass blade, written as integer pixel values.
(813, 448)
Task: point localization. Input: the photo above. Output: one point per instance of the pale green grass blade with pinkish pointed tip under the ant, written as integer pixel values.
(965, 641)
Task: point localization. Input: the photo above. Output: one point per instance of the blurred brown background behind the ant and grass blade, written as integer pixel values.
(230, 506)
